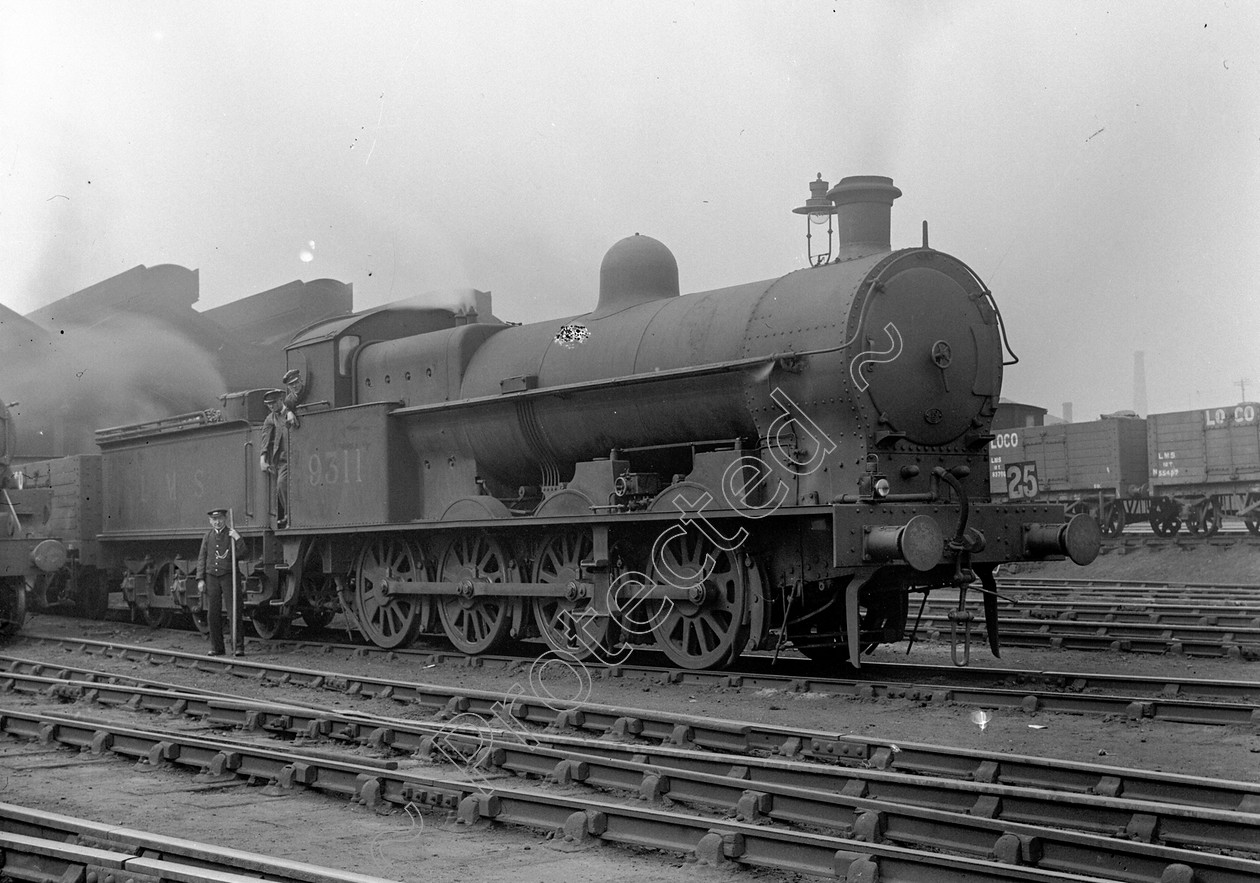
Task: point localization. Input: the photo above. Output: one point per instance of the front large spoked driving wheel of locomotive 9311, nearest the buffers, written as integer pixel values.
(709, 629)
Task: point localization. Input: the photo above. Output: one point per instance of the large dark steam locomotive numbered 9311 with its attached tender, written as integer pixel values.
(781, 463)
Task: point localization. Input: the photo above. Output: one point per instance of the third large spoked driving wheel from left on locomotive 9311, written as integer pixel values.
(563, 623)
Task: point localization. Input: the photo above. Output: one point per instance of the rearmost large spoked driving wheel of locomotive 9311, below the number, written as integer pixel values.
(389, 622)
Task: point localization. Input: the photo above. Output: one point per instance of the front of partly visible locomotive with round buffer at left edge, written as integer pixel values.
(27, 549)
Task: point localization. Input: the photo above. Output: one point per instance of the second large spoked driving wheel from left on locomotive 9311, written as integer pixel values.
(476, 624)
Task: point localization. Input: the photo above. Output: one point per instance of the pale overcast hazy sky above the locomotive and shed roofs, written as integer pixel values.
(1097, 164)
